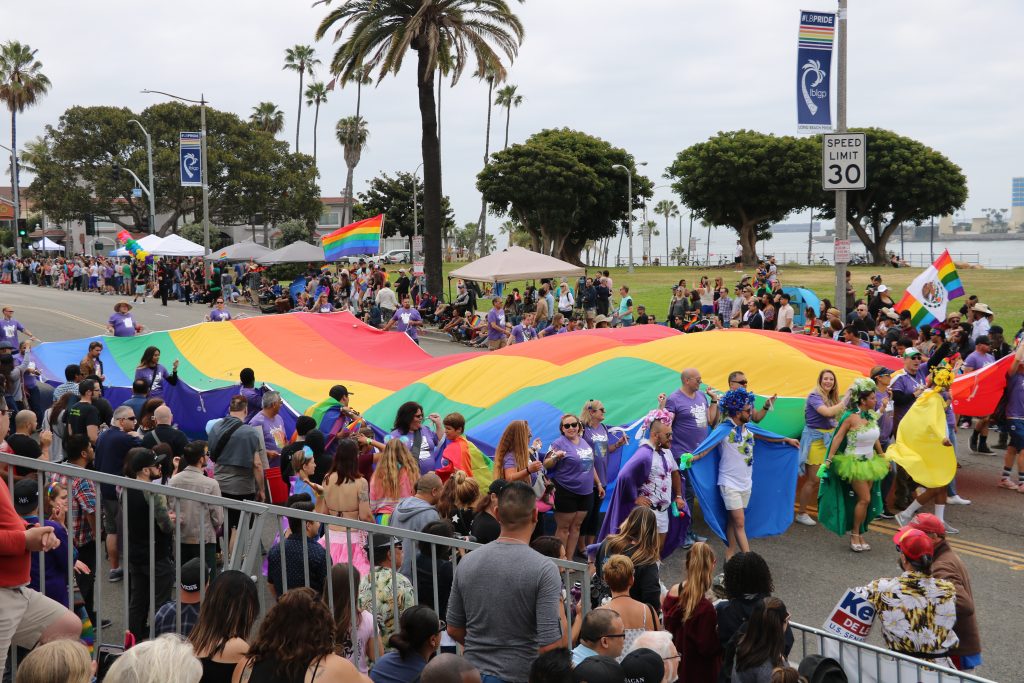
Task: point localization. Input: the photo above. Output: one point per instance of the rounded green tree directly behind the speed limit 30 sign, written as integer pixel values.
(908, 182)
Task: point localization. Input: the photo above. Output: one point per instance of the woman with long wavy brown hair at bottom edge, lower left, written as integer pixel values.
(296, 643)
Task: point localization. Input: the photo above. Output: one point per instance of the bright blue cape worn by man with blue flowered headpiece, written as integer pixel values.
(771, 509)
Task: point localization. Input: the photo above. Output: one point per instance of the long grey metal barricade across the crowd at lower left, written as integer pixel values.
(261, 528)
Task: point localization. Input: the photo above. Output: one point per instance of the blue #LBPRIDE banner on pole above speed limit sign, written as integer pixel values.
(815, 71)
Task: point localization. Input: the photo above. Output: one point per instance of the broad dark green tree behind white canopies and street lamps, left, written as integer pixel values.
(249, 172)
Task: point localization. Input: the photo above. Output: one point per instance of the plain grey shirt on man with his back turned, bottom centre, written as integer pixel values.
(504, 643)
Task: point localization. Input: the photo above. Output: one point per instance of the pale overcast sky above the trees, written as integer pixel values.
(651, 76)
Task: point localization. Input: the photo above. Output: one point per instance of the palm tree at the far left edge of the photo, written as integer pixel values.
(22, 84)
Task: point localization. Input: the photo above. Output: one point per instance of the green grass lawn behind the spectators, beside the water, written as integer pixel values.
(652, 287)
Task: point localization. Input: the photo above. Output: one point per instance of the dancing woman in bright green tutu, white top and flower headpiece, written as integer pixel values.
(860, 465)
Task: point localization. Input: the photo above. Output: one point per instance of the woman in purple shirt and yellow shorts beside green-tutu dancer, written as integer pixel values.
(820, 420)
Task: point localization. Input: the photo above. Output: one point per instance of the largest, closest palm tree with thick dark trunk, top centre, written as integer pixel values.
(380, 34)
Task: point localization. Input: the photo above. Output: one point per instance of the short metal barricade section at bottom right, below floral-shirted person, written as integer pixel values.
(871, 664)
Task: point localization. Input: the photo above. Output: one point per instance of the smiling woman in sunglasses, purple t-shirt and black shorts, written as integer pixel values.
(570, 463)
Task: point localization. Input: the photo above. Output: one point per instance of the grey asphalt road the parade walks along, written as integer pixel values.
(812, 567)
